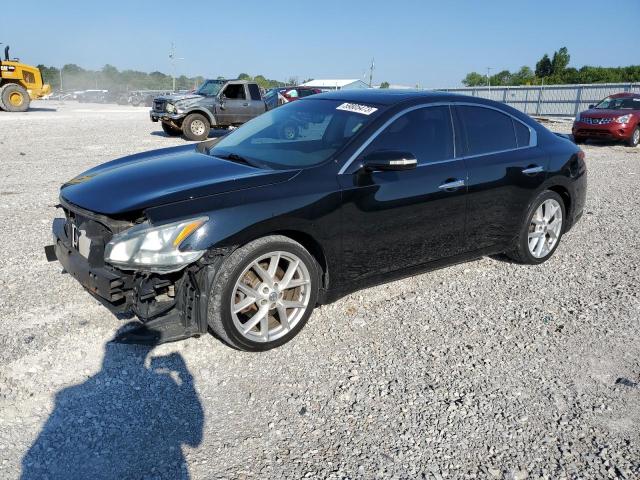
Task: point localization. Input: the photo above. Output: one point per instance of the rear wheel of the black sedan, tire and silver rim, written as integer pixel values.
(542, 230)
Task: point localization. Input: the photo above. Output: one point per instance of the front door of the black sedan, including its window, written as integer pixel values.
(395, 220)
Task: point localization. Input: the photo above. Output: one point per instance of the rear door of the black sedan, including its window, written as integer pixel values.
(505, 168)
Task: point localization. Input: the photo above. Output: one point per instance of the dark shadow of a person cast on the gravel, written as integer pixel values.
(128, 421)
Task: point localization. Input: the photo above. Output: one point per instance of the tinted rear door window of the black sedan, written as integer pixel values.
(487, 130)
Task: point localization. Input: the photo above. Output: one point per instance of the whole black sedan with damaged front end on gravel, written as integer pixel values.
(246, 234)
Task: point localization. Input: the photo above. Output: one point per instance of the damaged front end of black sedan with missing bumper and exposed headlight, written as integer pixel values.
(170, 301)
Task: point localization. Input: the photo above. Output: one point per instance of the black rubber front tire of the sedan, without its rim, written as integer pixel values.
(219, 309)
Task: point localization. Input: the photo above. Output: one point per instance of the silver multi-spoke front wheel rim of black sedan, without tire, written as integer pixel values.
(270, 297)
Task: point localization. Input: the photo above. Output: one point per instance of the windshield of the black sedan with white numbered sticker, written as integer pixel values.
(298, 134)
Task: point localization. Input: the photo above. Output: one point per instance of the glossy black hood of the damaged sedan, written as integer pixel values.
(160, 177)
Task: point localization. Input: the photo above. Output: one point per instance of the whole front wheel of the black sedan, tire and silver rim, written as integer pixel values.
(263, 294)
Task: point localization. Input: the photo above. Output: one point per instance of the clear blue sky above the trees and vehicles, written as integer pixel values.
(433, 44)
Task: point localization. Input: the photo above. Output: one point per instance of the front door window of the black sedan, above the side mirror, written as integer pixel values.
(425, 132)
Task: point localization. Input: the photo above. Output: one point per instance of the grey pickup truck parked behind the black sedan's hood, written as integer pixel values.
(216, 104)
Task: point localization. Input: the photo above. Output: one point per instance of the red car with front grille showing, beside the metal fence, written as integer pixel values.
(615, 118)
